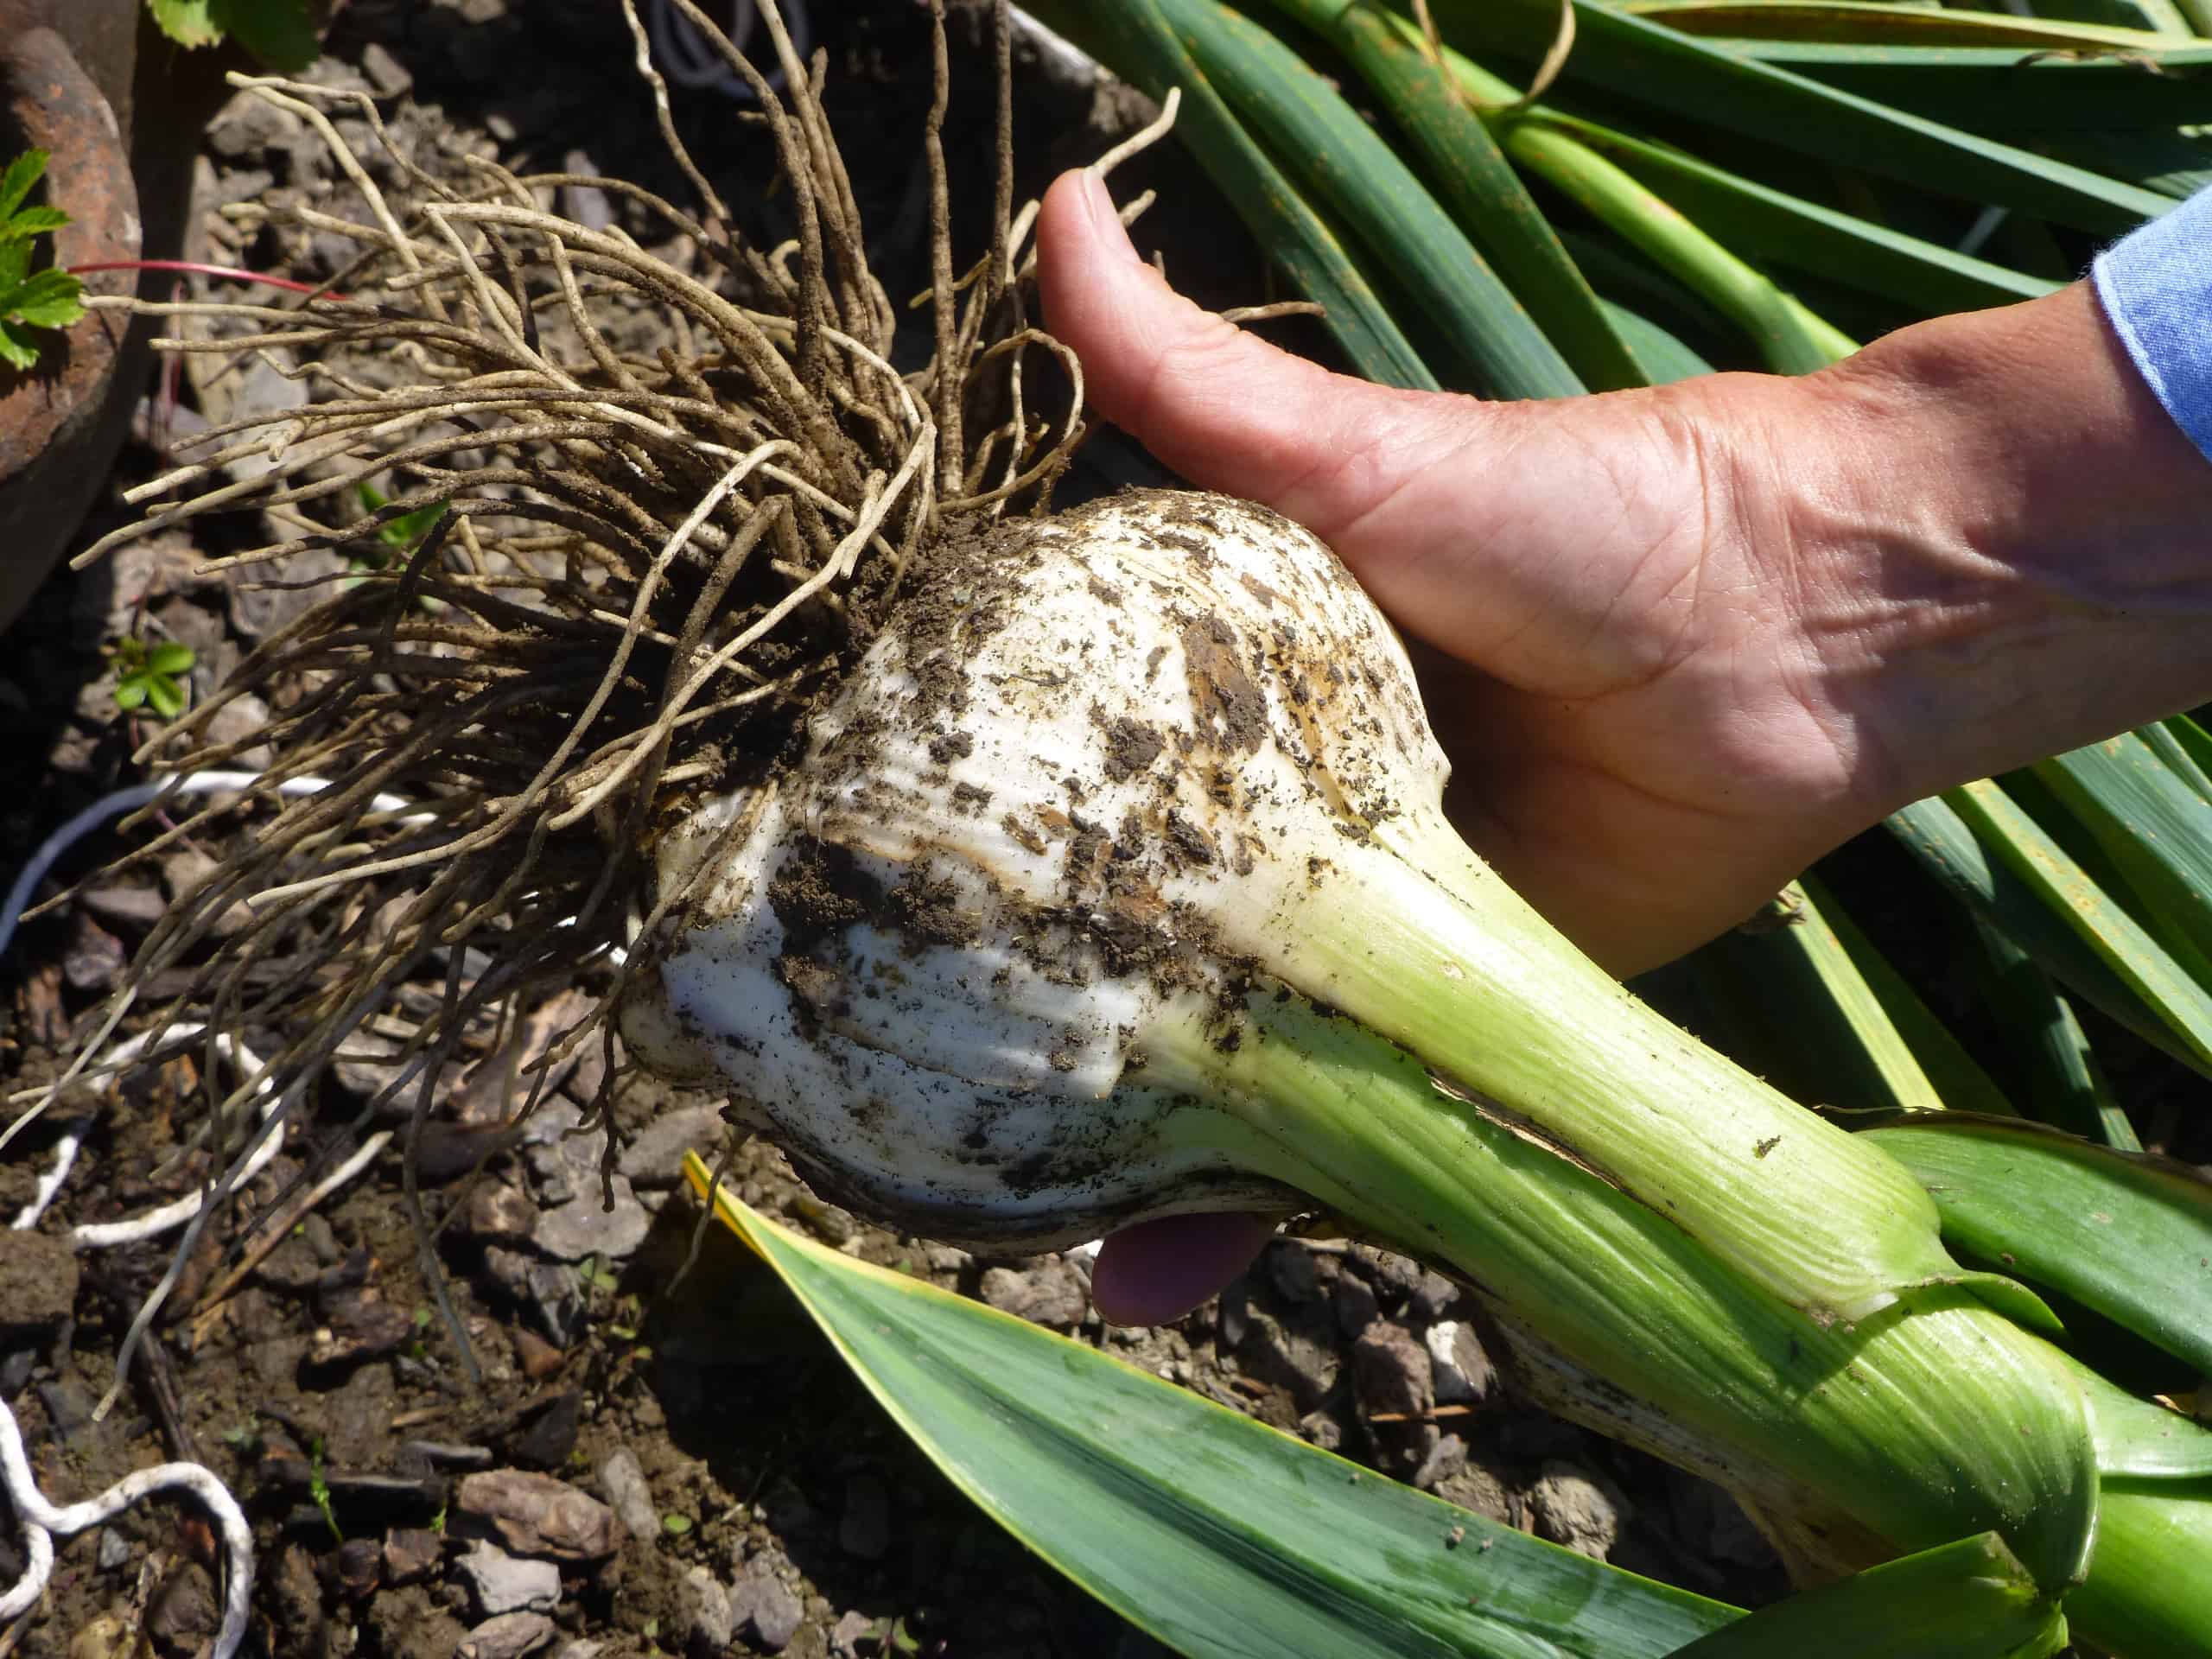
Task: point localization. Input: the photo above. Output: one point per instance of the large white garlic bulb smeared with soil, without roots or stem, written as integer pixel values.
(961, 954)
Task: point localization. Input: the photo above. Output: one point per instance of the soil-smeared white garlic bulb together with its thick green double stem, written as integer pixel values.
(1116, 884)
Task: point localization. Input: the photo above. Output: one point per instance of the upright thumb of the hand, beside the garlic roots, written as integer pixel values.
(1220, 406)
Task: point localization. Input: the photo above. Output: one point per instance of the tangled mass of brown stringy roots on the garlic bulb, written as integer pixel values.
(640, 574)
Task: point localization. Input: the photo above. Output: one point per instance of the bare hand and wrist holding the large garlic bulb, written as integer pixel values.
(1682, 643)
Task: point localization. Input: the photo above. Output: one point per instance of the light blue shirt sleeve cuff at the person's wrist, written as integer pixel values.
(2158, 289)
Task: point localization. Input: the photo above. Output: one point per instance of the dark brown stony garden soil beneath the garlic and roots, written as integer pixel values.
(627, 1459)
